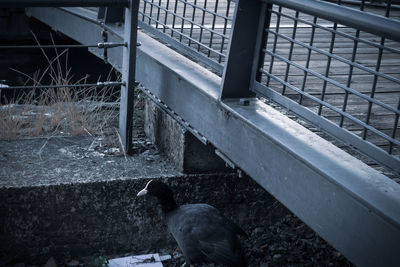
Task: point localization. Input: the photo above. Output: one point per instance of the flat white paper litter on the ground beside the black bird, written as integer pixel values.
(147, 260)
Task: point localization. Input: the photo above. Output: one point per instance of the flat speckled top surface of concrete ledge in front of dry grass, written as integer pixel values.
(54, 161)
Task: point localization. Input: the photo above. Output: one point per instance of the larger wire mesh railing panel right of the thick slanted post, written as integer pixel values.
(343, 80)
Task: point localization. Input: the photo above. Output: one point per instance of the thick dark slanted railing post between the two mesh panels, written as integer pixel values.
(246, 36)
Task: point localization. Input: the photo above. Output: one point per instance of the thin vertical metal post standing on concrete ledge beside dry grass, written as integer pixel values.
(128, 75)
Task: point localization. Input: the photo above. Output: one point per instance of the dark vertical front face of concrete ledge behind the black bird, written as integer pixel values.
(72, 220)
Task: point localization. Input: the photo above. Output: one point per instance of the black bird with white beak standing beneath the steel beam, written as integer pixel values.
(201, 231)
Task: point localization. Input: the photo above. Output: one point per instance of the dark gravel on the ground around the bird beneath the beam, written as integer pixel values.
(289, 242)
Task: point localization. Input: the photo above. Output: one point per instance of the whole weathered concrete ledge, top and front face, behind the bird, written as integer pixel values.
(78, 198)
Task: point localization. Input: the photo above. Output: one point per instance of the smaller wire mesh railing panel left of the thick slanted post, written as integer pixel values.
(198, 28)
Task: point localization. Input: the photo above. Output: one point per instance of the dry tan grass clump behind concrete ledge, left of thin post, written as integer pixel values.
(61, 111)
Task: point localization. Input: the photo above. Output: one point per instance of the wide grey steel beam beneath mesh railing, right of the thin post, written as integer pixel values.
(352, 206)
